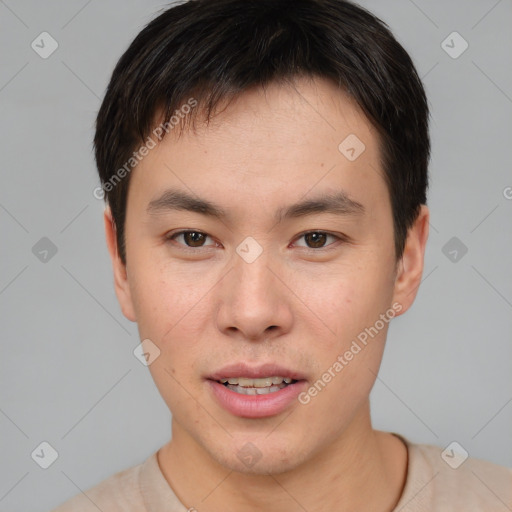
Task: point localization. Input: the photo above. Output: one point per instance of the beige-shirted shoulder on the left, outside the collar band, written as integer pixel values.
(118, 493)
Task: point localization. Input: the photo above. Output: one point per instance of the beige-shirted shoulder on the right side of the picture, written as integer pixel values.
(449, 479)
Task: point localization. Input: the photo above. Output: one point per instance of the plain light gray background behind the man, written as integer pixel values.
(68, 374)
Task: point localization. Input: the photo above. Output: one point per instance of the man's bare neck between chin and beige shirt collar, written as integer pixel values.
(363, 469)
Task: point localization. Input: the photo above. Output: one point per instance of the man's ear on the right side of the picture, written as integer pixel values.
(410, 266)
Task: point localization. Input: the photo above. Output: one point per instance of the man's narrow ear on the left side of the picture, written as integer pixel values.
(121, 284)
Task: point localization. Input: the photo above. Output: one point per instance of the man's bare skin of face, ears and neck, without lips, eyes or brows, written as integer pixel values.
(298, 306)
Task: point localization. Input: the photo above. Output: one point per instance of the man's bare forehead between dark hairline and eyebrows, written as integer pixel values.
(283, 140)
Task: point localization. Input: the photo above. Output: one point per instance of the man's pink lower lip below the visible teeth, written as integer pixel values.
(256, 406)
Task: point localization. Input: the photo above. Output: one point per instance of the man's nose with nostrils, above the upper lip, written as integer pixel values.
(254, 304)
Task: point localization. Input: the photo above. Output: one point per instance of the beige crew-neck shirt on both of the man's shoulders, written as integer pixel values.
(431, 485)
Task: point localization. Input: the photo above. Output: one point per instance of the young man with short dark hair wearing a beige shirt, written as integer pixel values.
(264, 164)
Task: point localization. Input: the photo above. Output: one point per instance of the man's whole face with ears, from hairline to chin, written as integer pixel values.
(258, 247)
